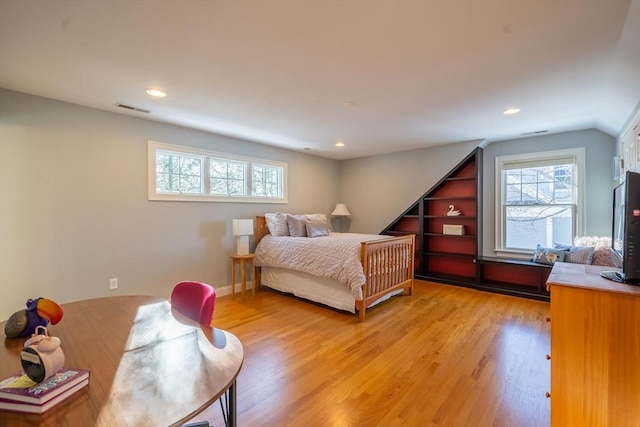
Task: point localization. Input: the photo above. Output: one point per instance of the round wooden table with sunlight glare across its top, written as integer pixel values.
(150, 366)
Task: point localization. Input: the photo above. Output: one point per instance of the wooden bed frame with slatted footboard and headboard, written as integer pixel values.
(387, 265)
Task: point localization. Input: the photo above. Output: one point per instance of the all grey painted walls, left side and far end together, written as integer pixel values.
(74, 210)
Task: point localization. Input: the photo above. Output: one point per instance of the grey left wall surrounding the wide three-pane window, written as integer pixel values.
(74, 210)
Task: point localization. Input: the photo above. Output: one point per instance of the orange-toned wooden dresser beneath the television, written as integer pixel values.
(595, 348)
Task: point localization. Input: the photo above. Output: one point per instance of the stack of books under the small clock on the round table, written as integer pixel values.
(20, 393)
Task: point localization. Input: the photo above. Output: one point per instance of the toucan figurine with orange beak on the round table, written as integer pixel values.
(39, 312)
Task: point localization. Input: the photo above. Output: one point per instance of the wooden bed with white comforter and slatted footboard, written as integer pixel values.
(346, 271)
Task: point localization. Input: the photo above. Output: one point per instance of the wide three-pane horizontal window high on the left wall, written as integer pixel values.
(183, 173)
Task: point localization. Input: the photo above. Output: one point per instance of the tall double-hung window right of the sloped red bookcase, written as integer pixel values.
(540, 200)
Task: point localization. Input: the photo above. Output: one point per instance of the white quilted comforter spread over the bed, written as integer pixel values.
(335, 257)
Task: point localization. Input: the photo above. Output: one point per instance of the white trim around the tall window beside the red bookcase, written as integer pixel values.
(578, 154)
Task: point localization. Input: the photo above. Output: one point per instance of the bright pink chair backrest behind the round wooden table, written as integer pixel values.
(195, 300)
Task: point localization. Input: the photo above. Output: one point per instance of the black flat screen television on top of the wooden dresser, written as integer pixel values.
(625, 237)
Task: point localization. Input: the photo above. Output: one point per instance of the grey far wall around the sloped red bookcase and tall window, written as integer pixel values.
(380, 188)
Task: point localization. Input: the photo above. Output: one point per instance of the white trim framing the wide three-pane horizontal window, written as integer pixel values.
(152, 146)
